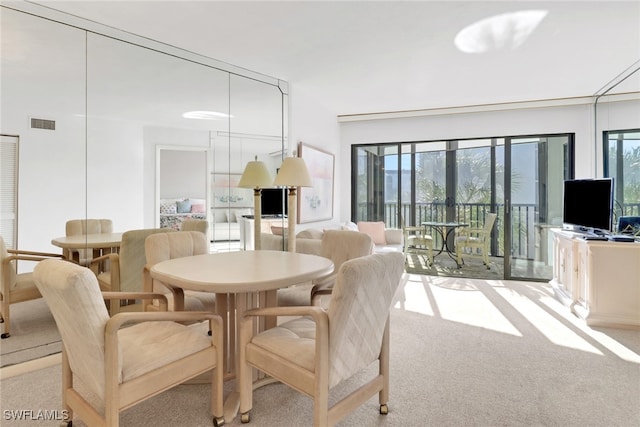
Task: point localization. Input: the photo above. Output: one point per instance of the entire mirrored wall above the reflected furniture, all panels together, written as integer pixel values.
(131, 125)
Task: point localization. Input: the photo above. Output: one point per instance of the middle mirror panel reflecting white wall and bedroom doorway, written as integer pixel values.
(136, 102)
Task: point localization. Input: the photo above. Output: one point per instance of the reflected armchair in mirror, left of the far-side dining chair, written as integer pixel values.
(126, 266)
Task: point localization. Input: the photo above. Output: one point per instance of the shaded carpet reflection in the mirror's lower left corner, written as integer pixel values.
(33, 333)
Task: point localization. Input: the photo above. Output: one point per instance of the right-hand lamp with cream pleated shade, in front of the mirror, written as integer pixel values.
(293, 173)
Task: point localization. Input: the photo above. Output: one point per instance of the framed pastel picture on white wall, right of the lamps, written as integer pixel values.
(316, 203)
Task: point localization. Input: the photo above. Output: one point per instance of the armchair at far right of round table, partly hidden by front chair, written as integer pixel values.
(339, 246)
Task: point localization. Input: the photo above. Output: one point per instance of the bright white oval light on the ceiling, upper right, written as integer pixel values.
(505, 31)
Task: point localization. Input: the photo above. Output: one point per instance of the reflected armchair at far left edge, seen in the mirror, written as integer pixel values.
(16, 287)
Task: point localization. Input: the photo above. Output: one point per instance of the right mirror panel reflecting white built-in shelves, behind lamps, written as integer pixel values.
(255, 131)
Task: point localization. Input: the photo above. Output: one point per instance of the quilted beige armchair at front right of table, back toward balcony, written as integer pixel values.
(319, 350)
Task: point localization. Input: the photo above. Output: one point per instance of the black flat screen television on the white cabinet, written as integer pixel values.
(588, 205)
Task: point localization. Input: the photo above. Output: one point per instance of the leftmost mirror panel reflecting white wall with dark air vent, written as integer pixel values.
(43, 76)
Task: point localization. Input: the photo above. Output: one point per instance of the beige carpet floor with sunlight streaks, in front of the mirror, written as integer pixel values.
(463, 353)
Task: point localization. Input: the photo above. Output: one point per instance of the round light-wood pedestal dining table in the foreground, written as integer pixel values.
(241, 280)
